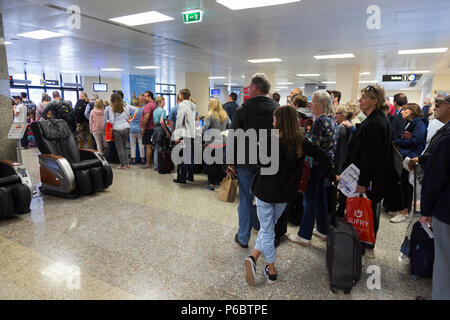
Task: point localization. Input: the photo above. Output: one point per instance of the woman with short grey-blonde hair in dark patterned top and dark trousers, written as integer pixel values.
(323, 134)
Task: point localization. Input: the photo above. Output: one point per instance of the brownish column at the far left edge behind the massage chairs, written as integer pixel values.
(8, 147)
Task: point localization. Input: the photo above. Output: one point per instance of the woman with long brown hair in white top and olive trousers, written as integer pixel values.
(119, 117)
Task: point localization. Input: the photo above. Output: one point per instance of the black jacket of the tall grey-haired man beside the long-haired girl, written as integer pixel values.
(255, 113)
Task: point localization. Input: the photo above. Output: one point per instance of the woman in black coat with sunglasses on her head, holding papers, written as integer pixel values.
(371, 151)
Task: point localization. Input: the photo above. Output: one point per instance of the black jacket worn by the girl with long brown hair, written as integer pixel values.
(282, 187)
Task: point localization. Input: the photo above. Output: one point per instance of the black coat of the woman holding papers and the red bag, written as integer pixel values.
(371, 151)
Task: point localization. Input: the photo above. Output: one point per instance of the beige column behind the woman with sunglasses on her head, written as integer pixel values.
(347, 82)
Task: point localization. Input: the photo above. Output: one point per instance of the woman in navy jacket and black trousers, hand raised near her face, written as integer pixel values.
(411, 145)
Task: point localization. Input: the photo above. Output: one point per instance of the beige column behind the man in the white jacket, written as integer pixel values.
(198, 85)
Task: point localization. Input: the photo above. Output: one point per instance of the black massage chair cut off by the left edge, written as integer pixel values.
(15, 189)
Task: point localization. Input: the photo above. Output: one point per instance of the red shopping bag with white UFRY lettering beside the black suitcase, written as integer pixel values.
(359, 214)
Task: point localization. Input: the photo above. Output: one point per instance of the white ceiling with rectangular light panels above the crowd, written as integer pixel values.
(226, 39)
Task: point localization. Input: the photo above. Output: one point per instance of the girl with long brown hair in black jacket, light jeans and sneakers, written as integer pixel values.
(275, 191)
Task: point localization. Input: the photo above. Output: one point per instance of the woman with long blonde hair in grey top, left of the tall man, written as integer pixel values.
(217, 118)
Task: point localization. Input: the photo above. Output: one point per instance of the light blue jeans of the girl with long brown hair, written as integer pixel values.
(268, 215)
